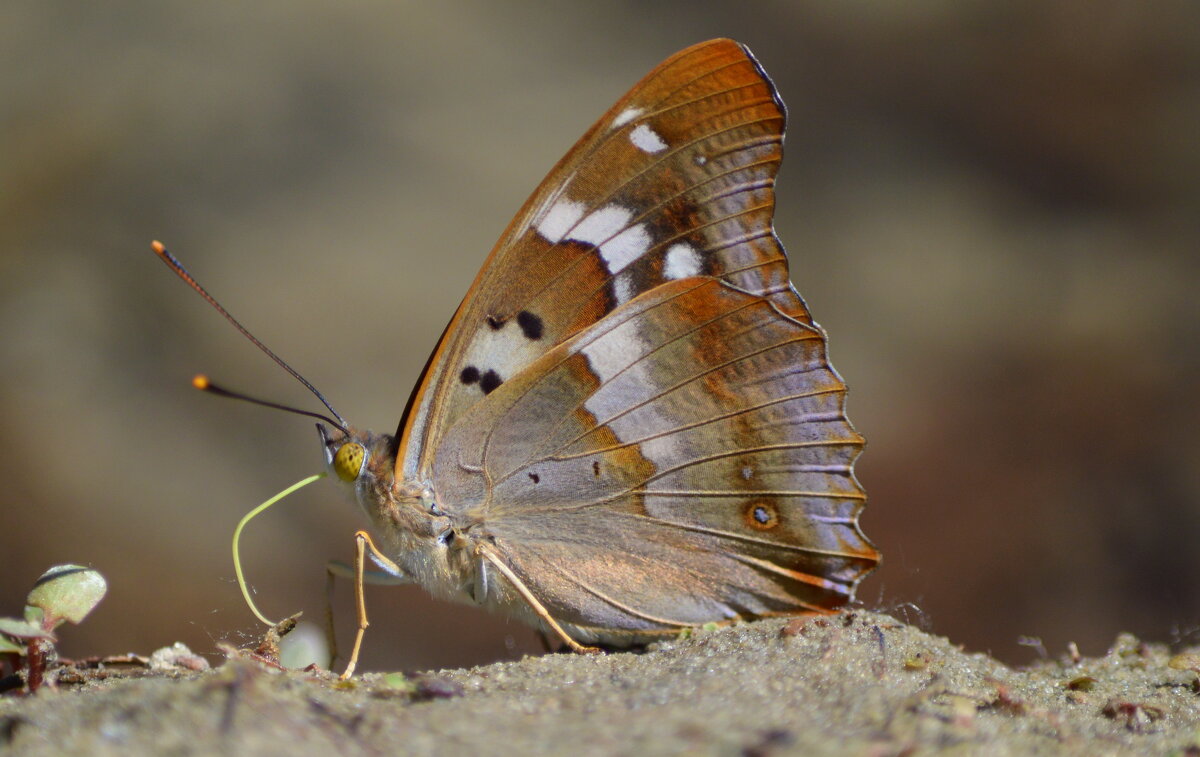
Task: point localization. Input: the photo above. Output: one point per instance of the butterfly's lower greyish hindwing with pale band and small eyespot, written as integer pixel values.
(683, 461)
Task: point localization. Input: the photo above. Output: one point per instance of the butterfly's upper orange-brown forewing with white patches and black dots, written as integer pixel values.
(676, 181)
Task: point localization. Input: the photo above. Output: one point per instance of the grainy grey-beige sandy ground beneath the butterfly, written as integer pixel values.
(853, 684)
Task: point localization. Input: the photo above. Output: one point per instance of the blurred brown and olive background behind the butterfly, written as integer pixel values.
(993, 207)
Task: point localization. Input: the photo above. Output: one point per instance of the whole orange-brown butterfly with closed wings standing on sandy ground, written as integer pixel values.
(631, 426)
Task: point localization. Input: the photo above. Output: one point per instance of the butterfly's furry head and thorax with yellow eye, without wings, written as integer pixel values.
(428, 545)
